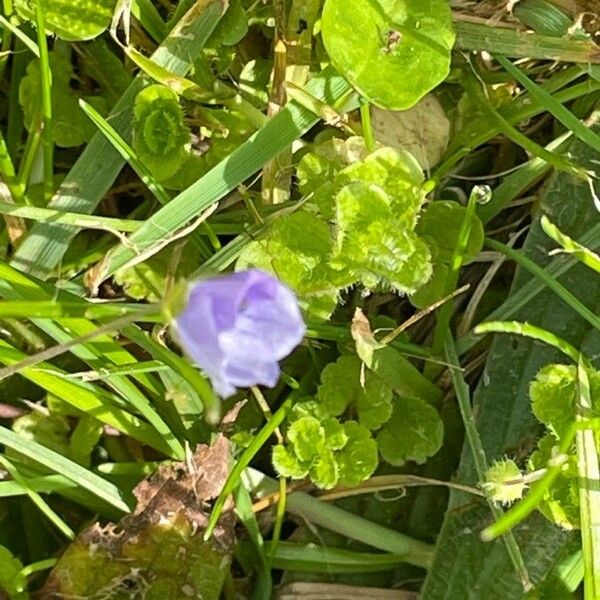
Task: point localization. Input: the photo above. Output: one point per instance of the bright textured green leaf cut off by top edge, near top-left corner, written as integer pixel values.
(71, 20)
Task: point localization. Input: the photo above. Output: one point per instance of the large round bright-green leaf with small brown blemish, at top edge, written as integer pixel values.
(392, 51)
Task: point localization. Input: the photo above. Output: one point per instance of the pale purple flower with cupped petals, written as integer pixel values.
(238, 326)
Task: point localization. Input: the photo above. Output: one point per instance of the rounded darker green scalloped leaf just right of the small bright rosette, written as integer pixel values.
(414, 432)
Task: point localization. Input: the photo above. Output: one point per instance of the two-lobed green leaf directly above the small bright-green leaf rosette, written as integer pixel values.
(341, 387)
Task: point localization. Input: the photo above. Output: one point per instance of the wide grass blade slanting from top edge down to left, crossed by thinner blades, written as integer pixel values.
(99, 164)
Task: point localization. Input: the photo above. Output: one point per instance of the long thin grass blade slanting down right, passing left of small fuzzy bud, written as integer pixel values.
(479, 459)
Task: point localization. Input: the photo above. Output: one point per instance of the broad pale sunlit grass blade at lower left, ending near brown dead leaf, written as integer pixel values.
(59, 464)
